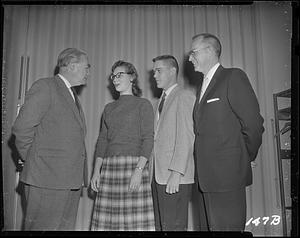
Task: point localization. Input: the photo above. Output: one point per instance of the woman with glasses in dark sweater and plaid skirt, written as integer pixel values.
(124, 145)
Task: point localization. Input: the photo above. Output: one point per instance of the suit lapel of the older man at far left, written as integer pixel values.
(63, 90)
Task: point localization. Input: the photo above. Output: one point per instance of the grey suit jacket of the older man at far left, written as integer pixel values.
(50, 134)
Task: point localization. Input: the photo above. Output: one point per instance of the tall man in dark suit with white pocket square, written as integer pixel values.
(228, 129)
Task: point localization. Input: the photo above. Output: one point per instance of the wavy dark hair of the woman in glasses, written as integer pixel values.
(130, 69)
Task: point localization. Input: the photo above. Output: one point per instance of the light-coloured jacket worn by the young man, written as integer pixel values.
(174, 138)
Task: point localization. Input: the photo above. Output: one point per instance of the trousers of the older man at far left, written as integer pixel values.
(51, 209)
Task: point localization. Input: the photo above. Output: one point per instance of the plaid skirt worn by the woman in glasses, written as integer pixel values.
(117, 209)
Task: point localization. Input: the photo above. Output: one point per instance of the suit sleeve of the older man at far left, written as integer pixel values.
(36, 105)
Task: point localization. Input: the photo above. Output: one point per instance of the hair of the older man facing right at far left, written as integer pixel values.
(69, 55)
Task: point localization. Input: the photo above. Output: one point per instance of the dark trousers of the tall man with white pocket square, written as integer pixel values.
(226, 211)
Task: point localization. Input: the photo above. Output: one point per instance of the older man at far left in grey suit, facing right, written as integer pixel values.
(50, 131)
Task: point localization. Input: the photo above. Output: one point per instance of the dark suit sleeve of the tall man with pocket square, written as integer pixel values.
(244, 104)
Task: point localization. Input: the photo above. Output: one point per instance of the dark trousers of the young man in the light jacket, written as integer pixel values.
(171, 210)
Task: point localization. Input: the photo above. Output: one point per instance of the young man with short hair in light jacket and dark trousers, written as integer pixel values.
(172, 166)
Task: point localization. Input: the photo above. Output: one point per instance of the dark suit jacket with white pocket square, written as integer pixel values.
(228, 128)
